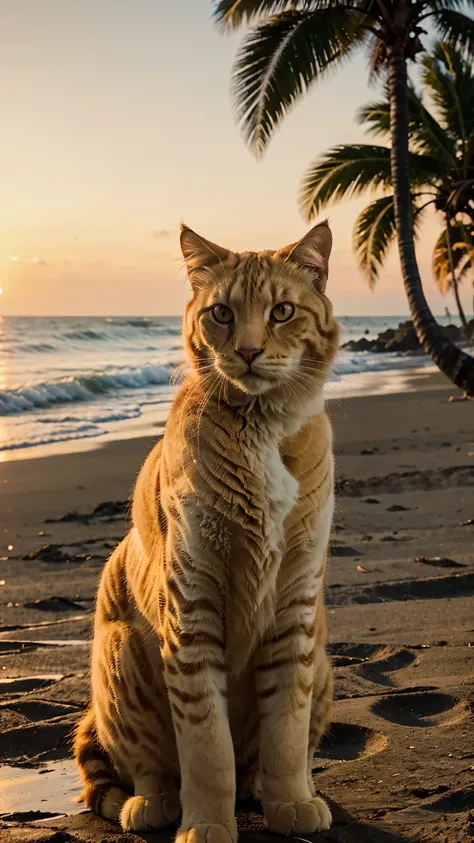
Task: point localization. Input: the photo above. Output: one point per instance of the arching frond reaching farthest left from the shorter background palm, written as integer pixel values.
(347, 171)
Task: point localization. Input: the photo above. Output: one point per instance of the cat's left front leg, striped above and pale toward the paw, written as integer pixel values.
(196, 677)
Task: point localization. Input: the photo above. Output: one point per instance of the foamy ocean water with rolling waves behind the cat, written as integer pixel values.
(69, 383)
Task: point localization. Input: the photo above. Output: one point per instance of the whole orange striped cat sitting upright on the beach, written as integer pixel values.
(209, 671)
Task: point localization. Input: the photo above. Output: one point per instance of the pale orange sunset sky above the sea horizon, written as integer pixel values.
(116, 124)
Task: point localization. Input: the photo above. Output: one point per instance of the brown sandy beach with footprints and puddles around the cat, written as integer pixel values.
(398, 761)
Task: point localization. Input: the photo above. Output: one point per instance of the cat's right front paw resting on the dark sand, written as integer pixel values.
(298, 817)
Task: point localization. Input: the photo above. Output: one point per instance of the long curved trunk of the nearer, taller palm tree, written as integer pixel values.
(455, 363)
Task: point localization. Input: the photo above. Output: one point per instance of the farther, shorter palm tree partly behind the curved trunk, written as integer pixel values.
(441, 150)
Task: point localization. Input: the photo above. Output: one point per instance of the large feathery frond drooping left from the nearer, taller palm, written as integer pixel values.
(279, 59)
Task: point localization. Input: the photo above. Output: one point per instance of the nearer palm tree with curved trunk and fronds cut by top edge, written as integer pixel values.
(294, 42)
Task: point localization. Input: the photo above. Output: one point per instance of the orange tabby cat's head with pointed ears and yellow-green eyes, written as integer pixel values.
(261, 320)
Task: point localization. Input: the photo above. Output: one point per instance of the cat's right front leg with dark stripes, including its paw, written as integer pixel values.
(285, 672)
